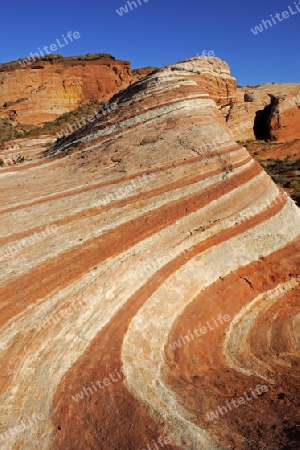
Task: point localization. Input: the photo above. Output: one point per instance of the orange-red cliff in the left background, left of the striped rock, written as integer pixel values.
(43, 90)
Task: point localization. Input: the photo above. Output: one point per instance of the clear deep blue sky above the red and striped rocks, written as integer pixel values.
(161, 32)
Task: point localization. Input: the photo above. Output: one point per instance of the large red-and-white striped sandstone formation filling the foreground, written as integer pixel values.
(133, 233)
